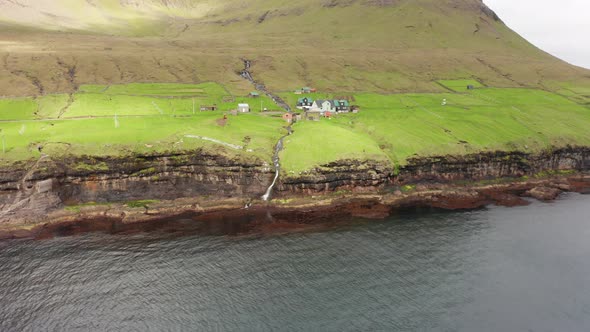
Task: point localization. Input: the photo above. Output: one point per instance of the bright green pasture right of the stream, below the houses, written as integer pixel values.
(409, 125)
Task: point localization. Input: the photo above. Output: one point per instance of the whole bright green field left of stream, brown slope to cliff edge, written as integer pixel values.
(120, 123)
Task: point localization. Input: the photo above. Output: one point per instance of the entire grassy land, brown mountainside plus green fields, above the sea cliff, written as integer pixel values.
(116, 78)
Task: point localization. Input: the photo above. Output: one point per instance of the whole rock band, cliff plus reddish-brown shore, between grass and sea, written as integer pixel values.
(205, 187)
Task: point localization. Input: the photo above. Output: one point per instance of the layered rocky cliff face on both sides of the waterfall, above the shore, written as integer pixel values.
(46, 184)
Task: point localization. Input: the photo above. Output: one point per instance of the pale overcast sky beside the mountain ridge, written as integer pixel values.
(560, 27)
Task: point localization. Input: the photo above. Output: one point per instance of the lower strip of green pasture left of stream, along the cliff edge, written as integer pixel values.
(125, 135)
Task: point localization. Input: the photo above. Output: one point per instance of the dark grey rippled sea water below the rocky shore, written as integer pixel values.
(498, 269)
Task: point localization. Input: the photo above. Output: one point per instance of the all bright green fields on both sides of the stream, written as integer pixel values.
(136, 118)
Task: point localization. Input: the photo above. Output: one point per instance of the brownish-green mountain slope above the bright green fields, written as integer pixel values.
(336, 45)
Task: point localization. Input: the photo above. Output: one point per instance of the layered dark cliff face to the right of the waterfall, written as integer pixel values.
(368, 175)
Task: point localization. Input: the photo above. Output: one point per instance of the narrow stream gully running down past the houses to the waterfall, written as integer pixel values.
(247, 75)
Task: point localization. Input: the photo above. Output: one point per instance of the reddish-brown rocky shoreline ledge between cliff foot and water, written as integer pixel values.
(289, 211)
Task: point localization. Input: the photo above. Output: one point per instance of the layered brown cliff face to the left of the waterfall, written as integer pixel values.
(47, 183)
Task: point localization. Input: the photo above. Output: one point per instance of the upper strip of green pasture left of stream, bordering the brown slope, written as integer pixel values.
(128, 100)
